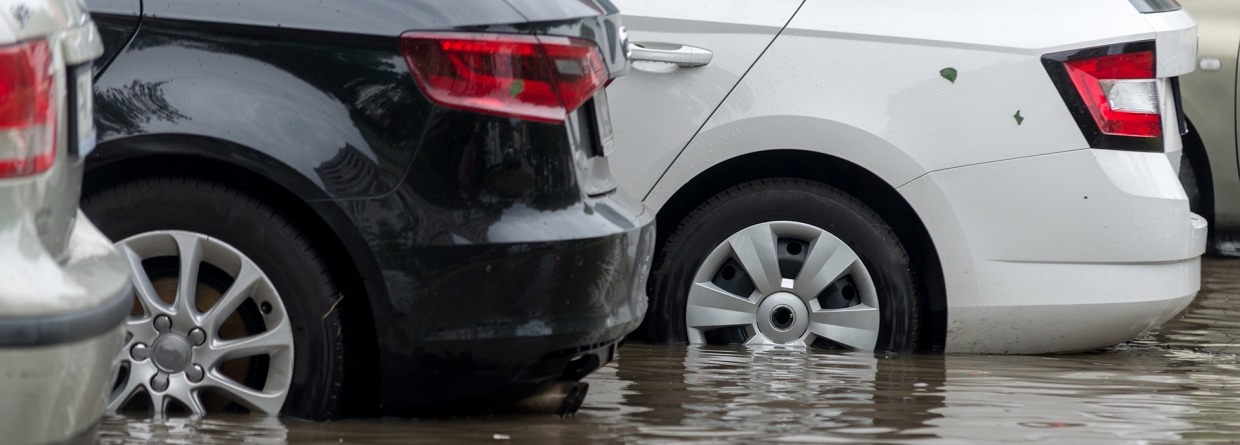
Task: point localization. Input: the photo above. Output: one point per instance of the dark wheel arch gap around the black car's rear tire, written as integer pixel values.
(354, 268)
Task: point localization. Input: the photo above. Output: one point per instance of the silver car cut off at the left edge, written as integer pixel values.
(64, 291)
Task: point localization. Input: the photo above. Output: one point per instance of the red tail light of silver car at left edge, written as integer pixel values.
(28, 110)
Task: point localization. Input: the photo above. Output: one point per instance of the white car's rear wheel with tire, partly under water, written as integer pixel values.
(736, 270)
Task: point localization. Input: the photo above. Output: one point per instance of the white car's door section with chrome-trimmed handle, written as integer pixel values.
(660, 106)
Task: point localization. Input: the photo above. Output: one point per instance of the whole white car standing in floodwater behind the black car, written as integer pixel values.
(968, 177)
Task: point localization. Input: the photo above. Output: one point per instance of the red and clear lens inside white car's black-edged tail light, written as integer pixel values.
(1120, 92)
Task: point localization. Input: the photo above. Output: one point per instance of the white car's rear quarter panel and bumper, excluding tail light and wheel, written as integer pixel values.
(1037, 234)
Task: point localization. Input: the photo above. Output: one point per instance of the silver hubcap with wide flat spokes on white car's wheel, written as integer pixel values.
(830, 297)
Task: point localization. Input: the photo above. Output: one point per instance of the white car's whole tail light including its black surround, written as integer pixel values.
(1113, 94)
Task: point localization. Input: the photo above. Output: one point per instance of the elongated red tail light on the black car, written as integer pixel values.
(528, 77)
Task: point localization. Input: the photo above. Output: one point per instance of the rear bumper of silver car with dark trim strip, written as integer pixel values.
(60, 333)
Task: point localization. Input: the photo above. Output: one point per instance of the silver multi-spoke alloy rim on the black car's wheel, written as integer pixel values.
(177, 353)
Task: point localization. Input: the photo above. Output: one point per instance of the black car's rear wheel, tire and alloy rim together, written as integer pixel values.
(254, 245)
